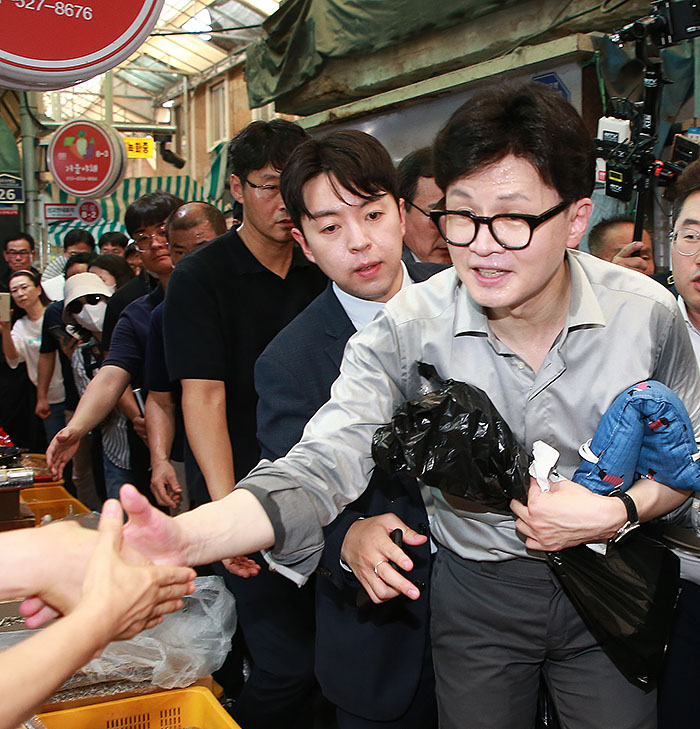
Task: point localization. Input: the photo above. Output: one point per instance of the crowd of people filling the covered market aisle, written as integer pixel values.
(237, 380)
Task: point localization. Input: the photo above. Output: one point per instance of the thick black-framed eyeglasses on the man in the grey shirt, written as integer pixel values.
(510, 230)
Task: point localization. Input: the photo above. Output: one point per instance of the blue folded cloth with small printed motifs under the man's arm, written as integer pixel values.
(645, 433)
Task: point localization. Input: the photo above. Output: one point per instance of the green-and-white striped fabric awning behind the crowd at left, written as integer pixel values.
(113, 206)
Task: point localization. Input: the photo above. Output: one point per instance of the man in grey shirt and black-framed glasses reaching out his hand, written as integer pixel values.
(552, 336)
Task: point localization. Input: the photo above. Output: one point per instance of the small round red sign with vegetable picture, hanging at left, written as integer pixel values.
(86, 158)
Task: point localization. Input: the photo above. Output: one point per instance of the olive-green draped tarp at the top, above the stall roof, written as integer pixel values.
(303, 33)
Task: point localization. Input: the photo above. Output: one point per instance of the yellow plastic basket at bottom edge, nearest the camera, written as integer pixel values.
(177, 709)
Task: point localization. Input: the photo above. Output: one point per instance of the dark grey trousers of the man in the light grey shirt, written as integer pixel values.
(496, 628)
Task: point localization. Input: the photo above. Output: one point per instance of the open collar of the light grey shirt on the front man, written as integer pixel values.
(584, 309)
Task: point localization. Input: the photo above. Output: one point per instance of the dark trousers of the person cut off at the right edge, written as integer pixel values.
(678, 704)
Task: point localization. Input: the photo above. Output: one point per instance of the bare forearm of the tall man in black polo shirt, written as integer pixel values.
(204, 410)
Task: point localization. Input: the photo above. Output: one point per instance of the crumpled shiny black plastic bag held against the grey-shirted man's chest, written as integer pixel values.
(455, 440)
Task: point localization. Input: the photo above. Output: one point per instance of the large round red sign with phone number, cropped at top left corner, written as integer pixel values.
(69, 42)
